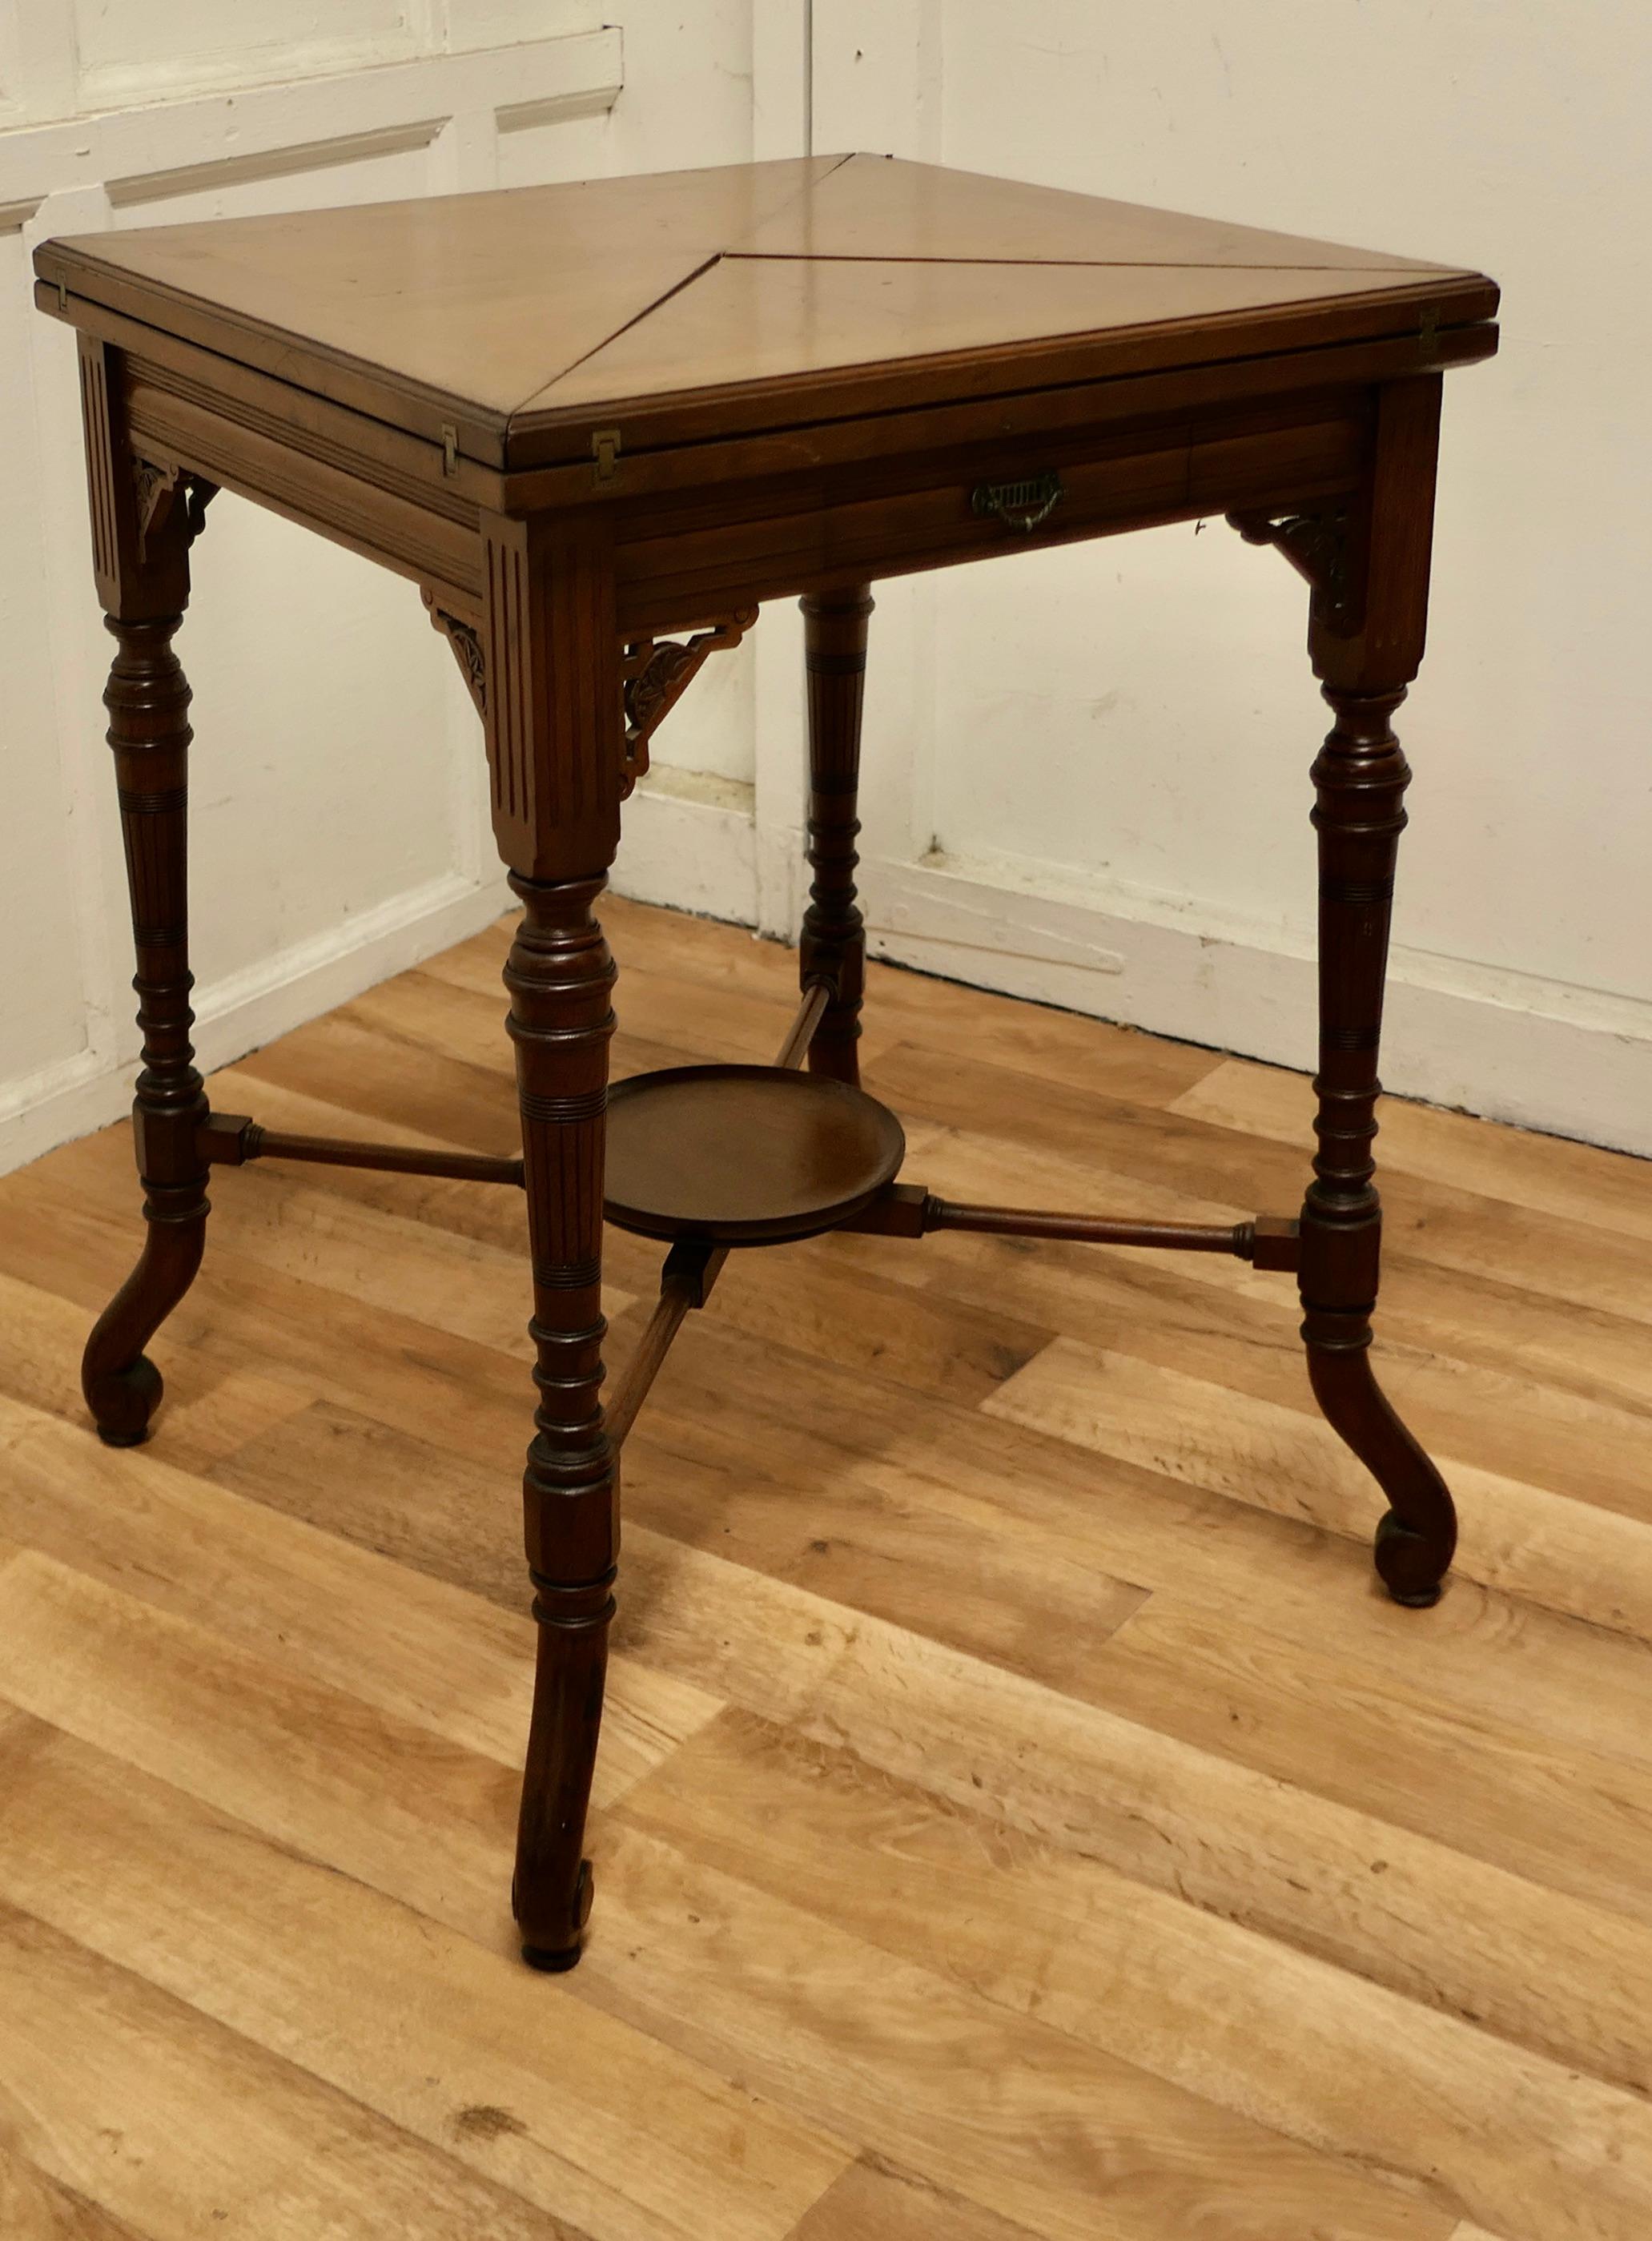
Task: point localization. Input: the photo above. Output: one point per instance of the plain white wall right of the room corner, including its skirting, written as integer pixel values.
(1111, 799)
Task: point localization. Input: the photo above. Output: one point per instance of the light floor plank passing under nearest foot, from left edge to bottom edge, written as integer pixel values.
(313, 1769)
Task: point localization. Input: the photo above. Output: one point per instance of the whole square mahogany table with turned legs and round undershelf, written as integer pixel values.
(597, 427)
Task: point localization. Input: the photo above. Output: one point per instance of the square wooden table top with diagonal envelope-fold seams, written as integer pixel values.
(757, 297)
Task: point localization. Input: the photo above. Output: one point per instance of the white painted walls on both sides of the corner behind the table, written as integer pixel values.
(1156, 689)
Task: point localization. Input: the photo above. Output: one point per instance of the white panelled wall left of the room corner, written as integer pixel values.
(160, 111)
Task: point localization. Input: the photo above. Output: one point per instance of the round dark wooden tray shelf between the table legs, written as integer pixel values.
(745, 1155)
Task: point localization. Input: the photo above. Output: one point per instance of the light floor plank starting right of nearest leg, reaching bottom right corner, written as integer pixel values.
(1243, 2020)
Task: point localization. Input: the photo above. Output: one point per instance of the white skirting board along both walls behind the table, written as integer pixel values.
(1503, 1045)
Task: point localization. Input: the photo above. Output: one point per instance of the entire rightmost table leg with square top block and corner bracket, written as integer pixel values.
(1371, 602)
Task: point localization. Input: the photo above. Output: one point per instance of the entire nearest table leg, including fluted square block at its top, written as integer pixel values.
(553, 694)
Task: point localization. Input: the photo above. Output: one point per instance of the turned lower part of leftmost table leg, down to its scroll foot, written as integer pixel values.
(149, 732)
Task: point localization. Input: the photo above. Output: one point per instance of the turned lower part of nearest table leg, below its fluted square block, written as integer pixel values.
(562, 976)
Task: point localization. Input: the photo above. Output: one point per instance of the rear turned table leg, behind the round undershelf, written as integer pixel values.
(833, 933)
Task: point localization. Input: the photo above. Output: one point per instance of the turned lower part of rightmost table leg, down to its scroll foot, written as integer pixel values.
(1362, 781)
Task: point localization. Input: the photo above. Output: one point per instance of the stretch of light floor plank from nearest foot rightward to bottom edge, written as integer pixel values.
(1008, 2112)
